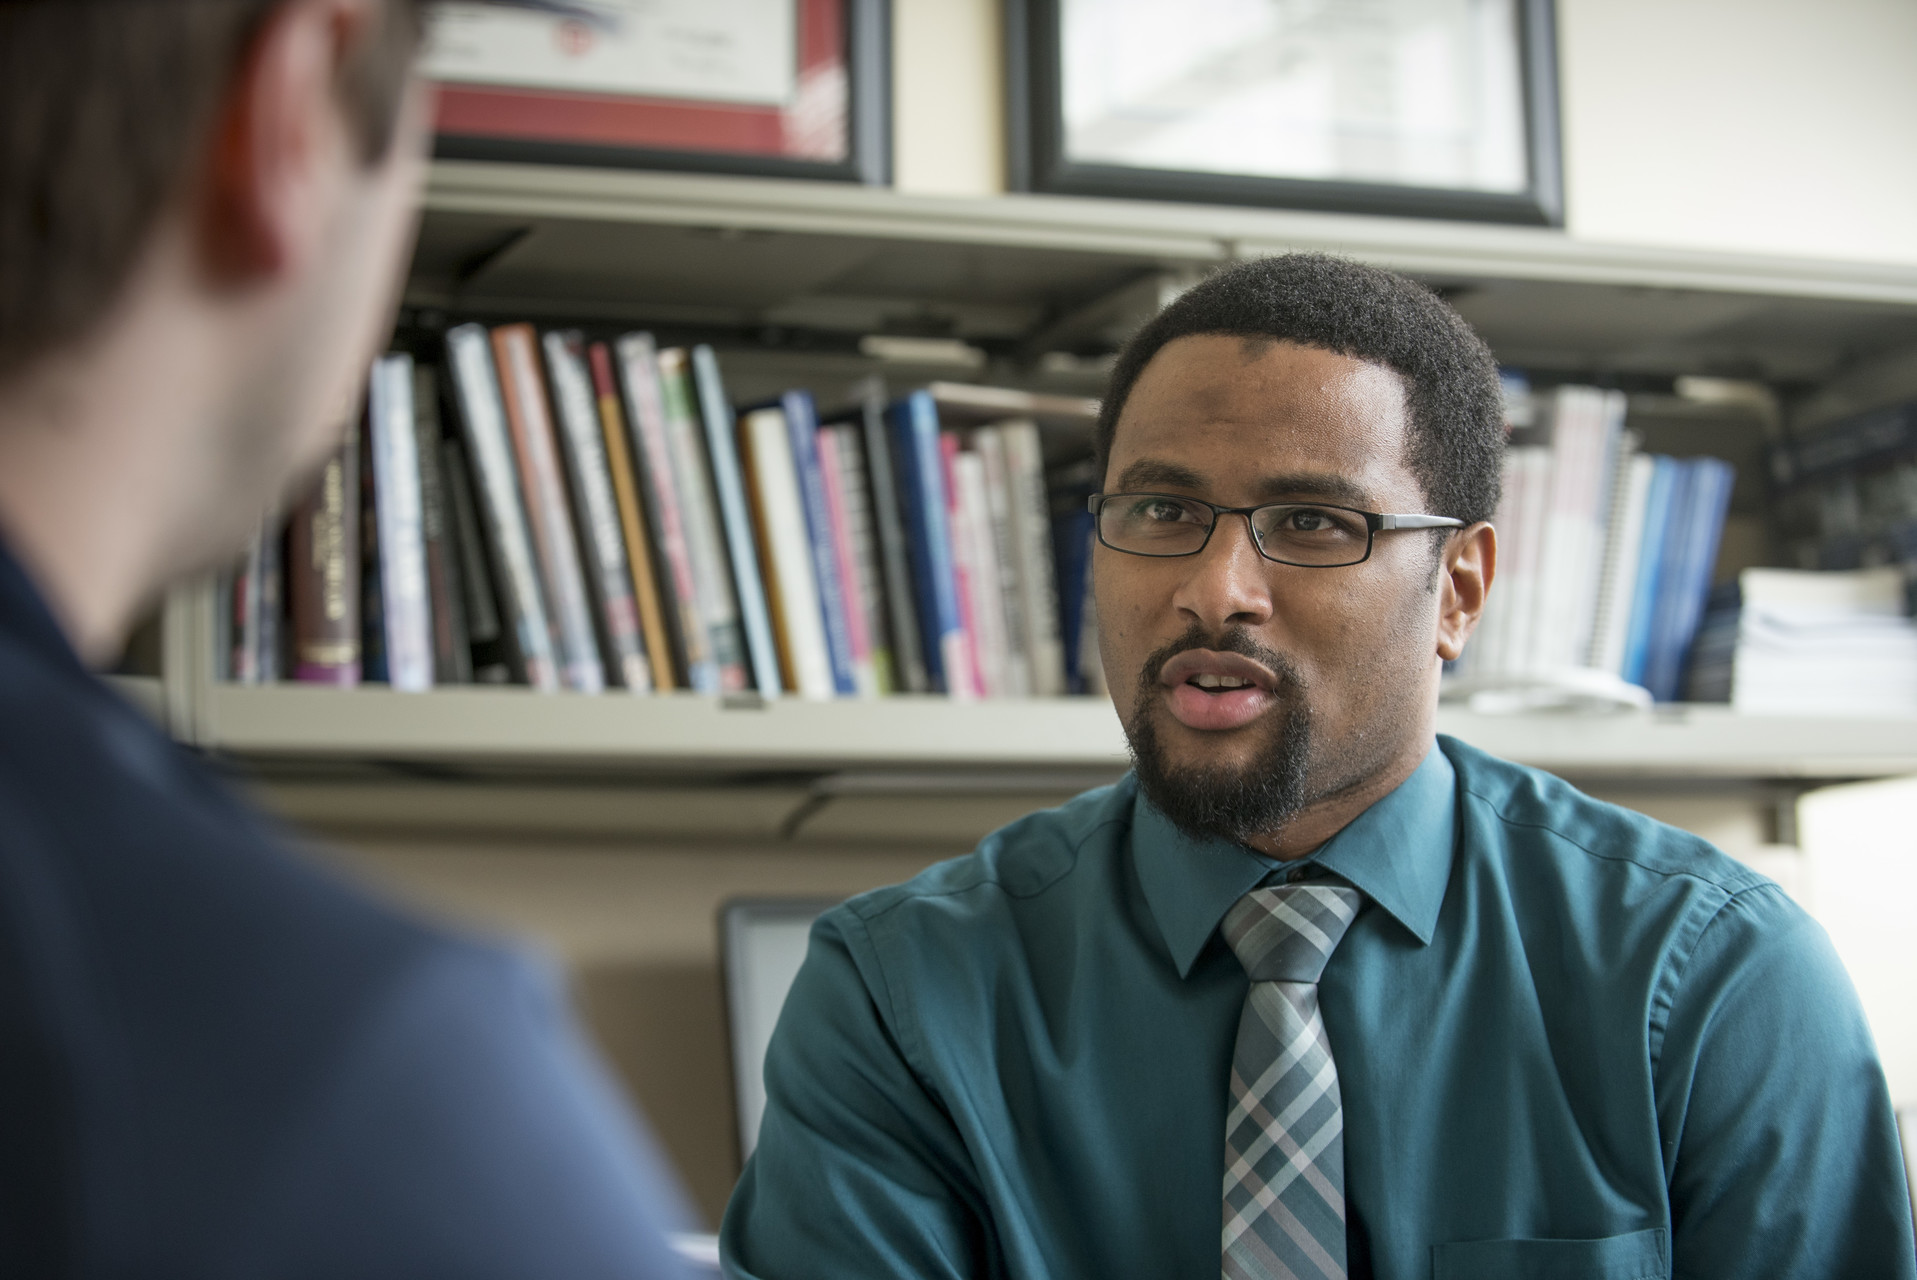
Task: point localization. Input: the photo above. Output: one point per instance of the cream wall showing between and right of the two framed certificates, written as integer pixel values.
(1761, 126)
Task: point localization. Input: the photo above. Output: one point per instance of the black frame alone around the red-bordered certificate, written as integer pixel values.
(867, 120)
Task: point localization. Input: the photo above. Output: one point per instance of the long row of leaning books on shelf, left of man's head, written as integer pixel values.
(595, 514)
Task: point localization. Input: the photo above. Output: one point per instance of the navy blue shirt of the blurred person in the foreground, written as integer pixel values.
(218, 1061)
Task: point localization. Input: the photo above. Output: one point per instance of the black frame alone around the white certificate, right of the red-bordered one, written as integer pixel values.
(1038, 160)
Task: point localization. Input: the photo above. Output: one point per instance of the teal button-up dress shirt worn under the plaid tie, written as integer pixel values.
(1571, 1041)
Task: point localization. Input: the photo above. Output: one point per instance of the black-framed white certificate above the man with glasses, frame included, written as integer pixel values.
(1425, 108)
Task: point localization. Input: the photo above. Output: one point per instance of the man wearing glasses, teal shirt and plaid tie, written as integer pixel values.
(1314, 992)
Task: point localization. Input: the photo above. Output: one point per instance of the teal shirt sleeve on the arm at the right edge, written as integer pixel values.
(1778, 1130)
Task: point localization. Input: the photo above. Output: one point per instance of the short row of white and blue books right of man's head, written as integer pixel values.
(1605, 557)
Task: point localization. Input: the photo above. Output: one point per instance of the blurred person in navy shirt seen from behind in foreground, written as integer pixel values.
(218, 1061)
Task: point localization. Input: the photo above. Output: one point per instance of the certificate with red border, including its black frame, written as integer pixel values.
(762, 87)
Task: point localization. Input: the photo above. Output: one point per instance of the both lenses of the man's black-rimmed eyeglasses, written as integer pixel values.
(1293, 534)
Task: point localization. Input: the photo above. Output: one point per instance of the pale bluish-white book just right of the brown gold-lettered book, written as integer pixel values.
(396, 488)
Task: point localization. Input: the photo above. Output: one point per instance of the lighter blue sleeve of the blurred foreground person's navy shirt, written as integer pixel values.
(469, 1131)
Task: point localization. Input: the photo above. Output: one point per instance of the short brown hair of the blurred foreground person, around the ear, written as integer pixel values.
(104, 110)
